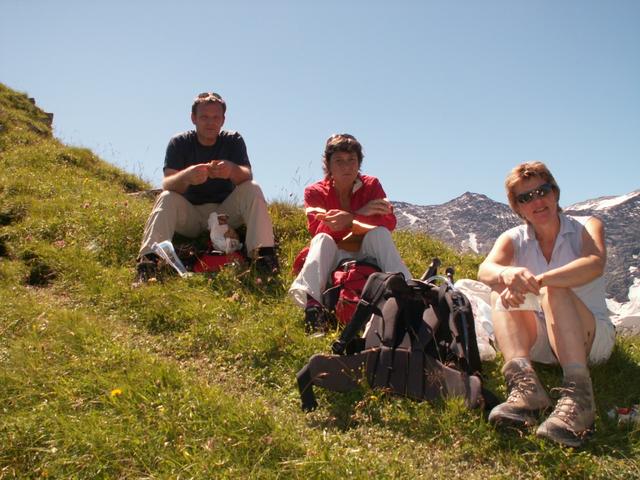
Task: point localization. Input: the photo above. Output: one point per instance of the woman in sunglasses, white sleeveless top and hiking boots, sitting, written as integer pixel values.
(548, 306)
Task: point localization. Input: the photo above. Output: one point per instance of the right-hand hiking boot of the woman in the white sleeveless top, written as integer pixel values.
(573, 418)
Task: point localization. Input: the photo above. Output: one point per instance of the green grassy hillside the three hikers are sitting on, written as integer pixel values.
(194, 378)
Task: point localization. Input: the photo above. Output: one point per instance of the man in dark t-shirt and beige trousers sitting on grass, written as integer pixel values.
(207, 170)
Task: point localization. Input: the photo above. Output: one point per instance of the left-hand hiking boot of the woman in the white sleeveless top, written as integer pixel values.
(527, 397)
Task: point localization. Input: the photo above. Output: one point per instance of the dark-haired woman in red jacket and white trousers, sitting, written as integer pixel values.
(349, 217)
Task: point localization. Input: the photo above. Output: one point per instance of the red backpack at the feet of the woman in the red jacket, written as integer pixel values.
(347, 280)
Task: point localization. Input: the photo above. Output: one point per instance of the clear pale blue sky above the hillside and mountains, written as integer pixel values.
(445, 96)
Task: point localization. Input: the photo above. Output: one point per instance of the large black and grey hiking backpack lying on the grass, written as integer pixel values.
(420, 342)
